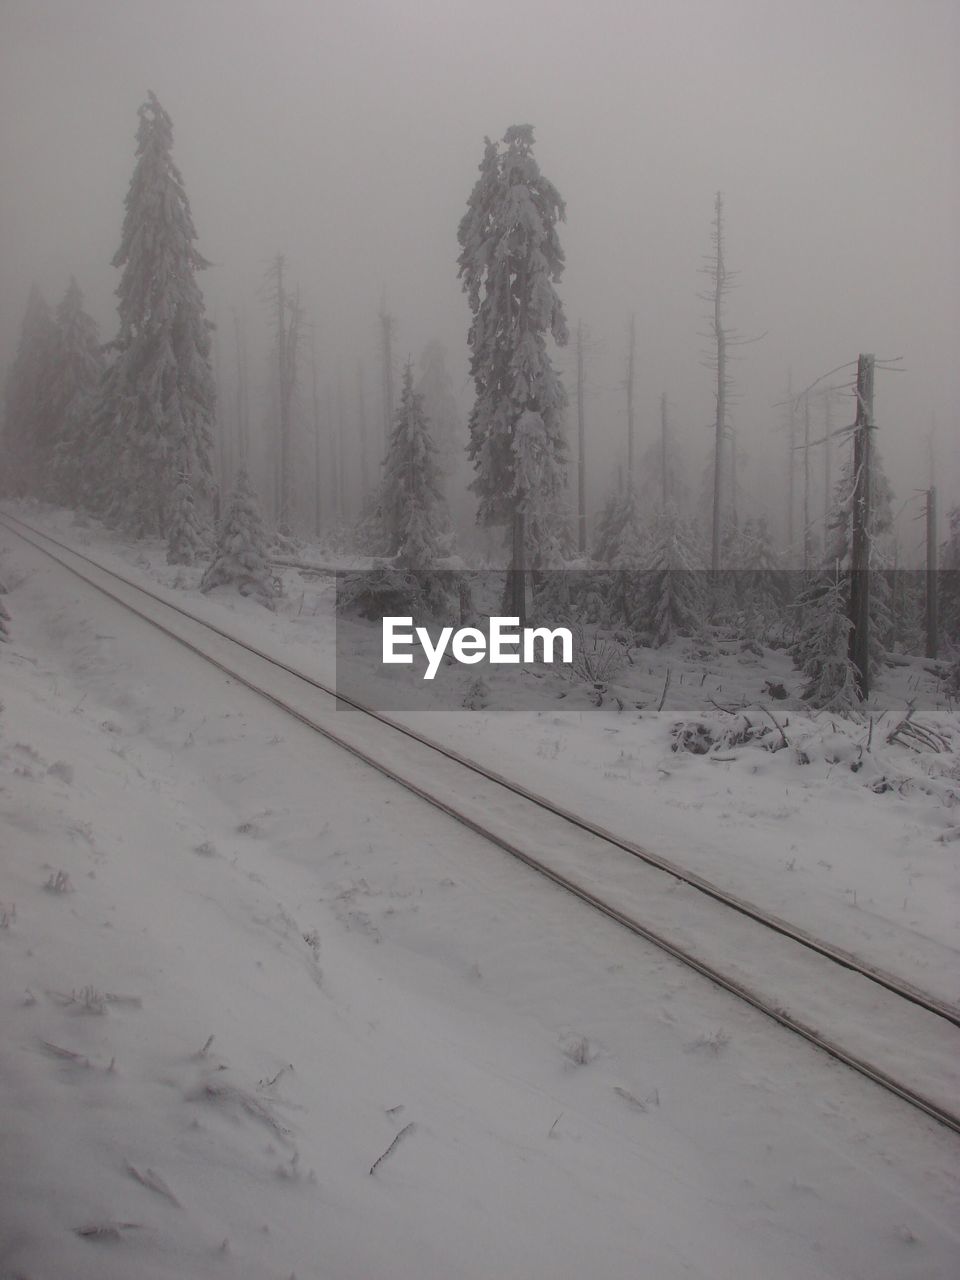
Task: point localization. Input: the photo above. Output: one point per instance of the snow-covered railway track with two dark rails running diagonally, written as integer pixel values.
(889, 1031)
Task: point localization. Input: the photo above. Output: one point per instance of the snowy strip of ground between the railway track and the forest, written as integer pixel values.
(842, 833)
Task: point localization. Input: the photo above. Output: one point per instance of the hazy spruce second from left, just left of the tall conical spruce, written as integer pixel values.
(75, 385)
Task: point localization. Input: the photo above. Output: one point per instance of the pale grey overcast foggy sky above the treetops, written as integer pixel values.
(348, 135)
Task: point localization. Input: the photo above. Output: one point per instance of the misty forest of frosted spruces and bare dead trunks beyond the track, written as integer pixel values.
(140, 432)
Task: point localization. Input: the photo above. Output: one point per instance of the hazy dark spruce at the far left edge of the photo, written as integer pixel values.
(28, 419)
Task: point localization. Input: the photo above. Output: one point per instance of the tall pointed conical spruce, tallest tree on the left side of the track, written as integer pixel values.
(156, 414)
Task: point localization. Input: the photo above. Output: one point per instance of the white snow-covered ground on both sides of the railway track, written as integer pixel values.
(182, 862)
